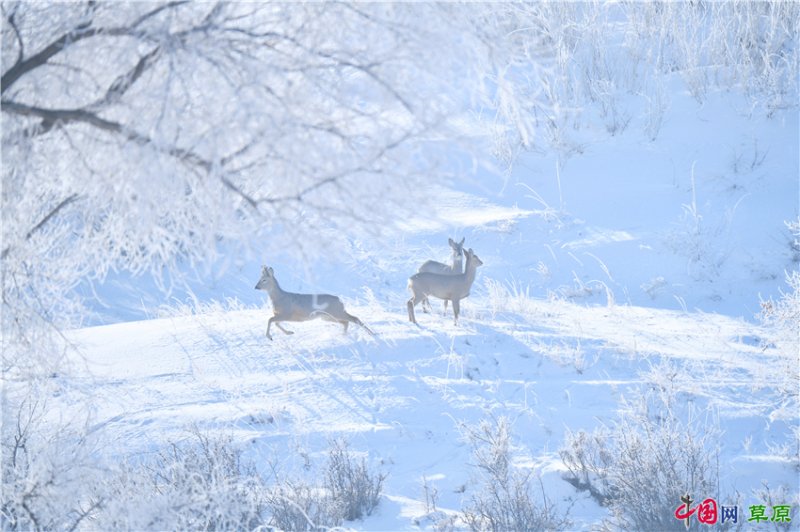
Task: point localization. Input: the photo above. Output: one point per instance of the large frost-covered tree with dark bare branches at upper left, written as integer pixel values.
(137, 134)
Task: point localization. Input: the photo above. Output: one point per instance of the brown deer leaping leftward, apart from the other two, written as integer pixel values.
(288, 306)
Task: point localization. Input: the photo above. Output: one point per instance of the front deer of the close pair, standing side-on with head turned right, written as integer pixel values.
(448, 287)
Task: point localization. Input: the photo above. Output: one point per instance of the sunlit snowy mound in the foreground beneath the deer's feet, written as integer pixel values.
(406, 396)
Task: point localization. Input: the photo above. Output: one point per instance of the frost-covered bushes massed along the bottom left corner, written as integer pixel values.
(204, 482)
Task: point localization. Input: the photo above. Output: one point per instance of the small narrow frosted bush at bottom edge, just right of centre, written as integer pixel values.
(504, 500)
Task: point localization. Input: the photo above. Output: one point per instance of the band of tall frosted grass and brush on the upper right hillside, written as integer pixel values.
(595, 56)
